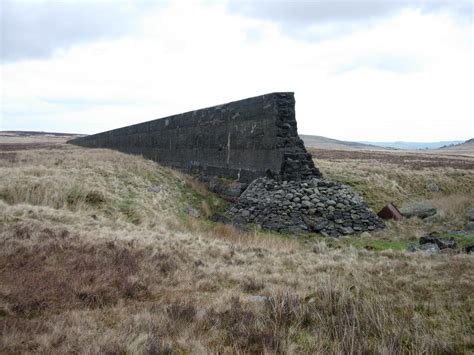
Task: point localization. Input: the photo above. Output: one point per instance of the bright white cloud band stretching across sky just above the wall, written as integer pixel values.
(406, 77)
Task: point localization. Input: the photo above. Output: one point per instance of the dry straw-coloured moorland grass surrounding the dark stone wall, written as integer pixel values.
(93, 260)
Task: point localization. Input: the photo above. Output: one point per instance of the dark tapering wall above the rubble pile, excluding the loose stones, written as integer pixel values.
(241, 140)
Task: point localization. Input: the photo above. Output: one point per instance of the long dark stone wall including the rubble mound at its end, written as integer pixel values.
(254, 143)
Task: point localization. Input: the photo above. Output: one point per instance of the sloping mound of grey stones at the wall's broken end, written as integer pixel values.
(298, 207)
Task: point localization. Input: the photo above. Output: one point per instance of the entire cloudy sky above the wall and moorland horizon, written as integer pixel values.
(366, 70)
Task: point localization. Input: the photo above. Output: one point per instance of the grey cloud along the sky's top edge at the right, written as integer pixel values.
(323, 19)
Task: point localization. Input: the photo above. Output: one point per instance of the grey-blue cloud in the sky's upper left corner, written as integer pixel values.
(37, 29)
